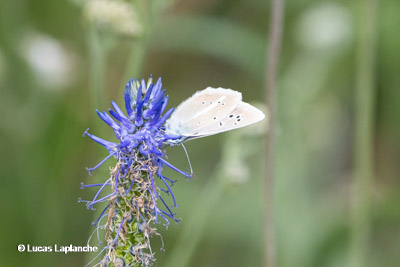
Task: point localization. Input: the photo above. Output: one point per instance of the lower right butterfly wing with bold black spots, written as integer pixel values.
(242, 115)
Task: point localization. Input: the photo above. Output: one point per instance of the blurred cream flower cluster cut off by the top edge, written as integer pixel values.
(113, 15)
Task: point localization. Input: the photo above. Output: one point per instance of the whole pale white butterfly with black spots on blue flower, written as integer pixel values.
(210, 111)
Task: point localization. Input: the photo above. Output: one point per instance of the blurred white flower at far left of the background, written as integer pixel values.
(51, 62)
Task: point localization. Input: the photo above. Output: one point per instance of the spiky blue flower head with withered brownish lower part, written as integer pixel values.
(136, 181)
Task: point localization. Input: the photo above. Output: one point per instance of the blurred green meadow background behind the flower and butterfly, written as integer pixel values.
(51, 54)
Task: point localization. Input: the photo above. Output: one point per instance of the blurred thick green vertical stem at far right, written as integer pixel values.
(363, 143)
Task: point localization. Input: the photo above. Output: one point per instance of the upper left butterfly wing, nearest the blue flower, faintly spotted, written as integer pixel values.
(203, 109)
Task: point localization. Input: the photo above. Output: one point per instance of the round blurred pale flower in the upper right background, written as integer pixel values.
(327, 27)
